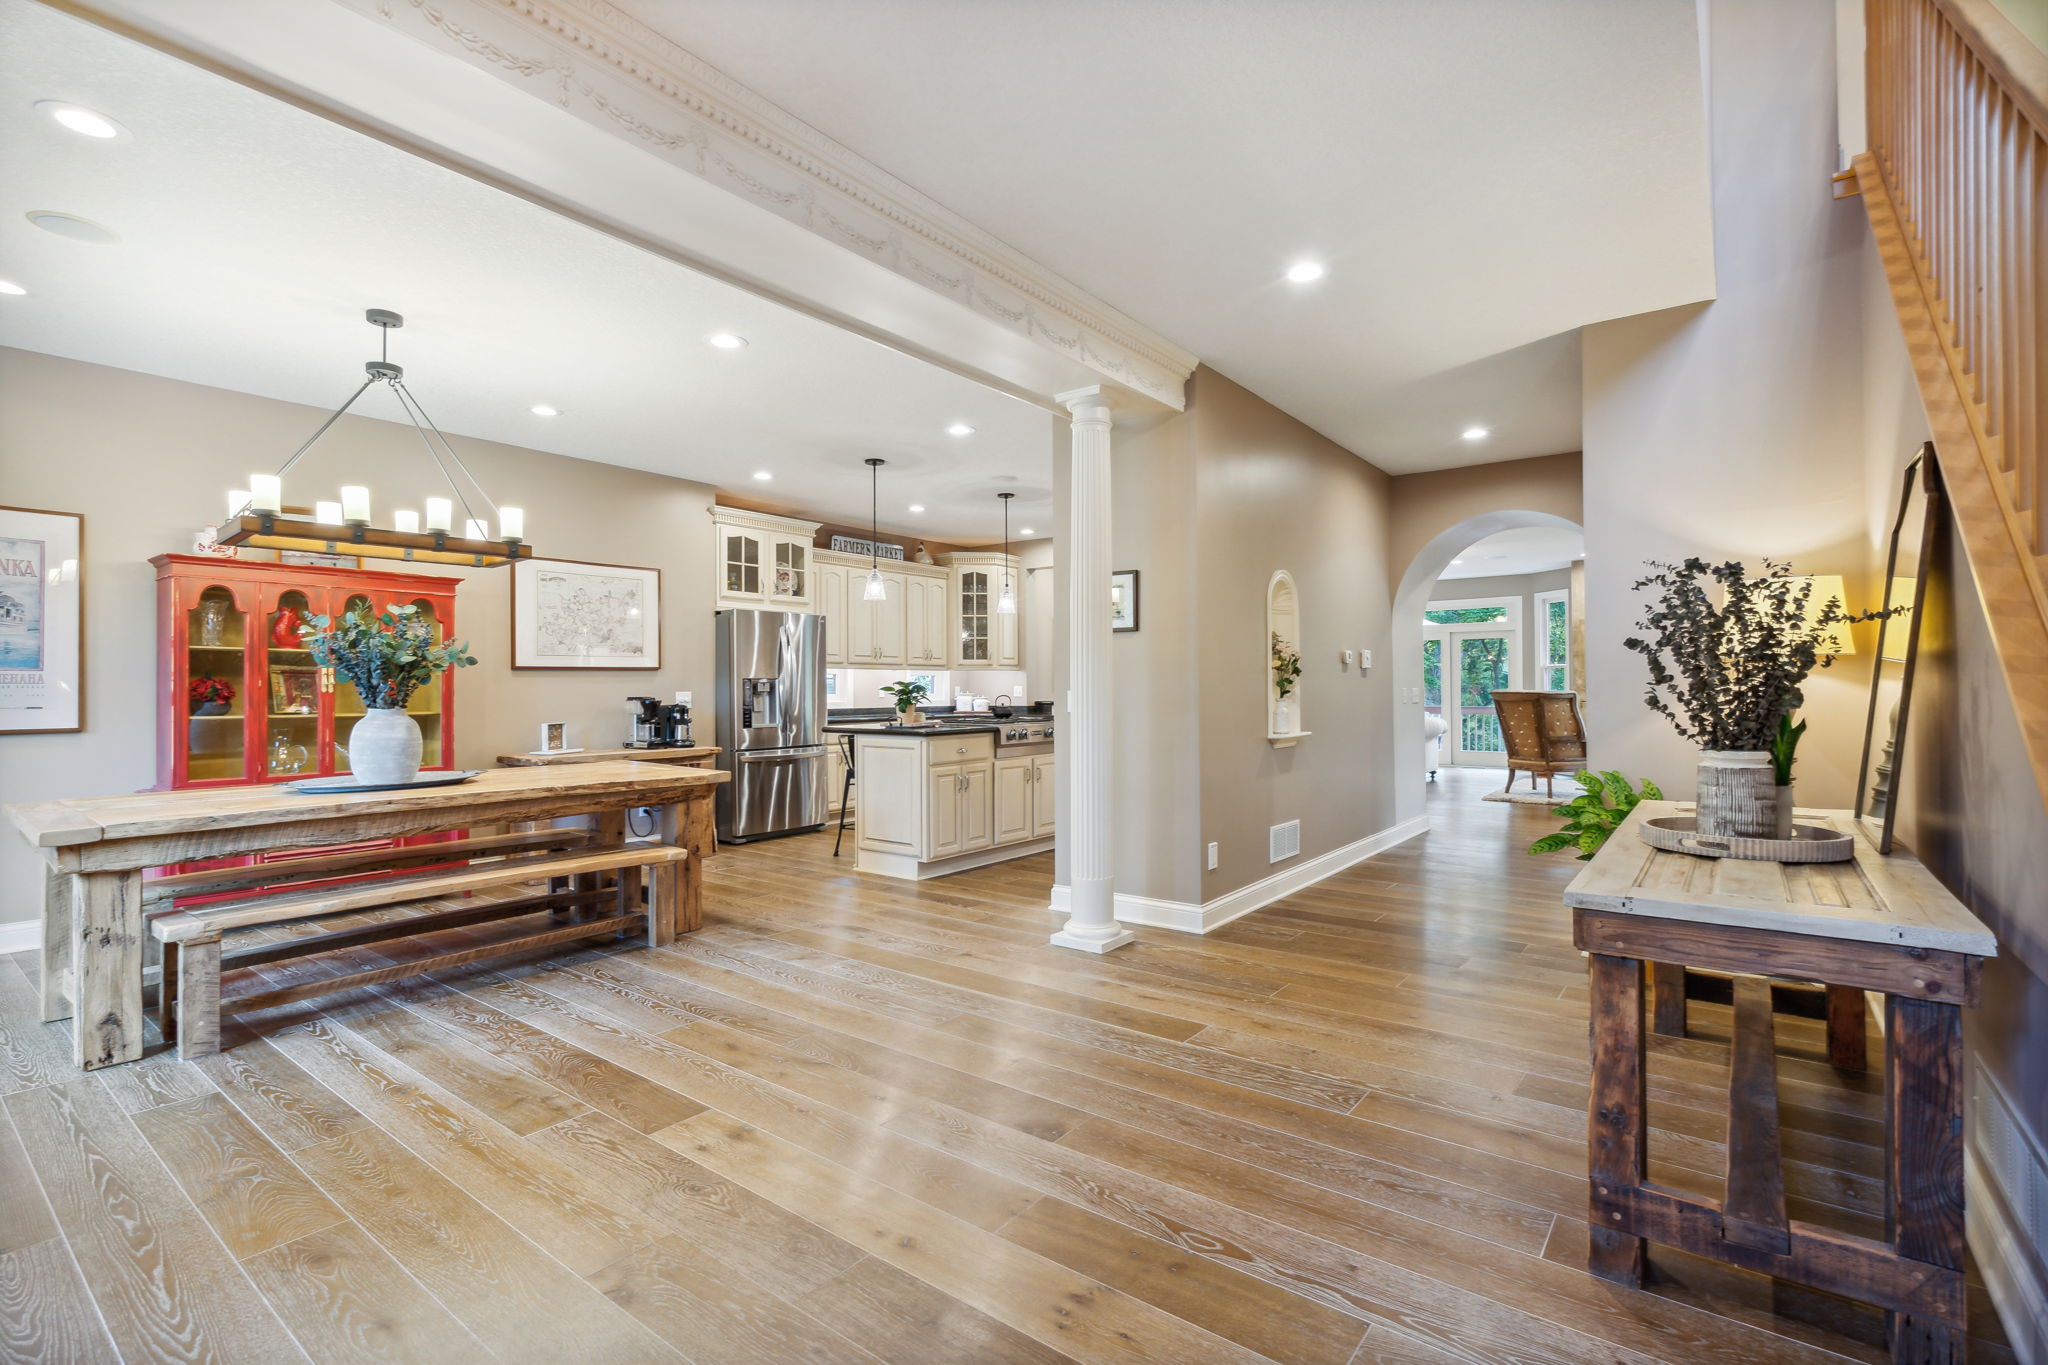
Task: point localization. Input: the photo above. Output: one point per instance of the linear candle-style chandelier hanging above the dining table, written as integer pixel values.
(257, 517)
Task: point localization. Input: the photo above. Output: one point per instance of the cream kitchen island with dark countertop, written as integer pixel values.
(951, 795)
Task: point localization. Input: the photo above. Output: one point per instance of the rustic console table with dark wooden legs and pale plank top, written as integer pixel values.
(1875, 924)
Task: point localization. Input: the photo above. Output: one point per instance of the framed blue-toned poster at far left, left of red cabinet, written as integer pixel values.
(42, 621)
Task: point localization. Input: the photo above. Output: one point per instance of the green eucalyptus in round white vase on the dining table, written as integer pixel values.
(388, 658)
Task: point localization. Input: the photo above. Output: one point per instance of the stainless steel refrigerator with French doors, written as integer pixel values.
(771, 701)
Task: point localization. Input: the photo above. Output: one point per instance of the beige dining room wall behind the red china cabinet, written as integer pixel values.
(148, 461)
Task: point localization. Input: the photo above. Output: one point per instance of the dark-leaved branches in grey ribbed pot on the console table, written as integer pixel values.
(1727, 676)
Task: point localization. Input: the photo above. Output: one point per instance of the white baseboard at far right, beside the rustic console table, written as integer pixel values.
(2008, 1198)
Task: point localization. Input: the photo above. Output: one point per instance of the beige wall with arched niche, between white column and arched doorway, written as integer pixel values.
(1273, 494)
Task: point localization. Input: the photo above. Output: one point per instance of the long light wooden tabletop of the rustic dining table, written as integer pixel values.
(93, 820)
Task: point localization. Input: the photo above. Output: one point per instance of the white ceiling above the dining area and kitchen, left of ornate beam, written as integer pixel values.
(255, 234)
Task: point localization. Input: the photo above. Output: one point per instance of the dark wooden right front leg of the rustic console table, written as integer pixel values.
(1924, 1161)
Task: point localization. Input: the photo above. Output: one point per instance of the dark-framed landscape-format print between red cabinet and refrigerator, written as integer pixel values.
(570, 615)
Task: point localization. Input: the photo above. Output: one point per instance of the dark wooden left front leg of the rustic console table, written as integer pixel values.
(1617, 1131)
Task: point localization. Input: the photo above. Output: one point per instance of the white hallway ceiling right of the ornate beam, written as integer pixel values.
(1484, 177)
